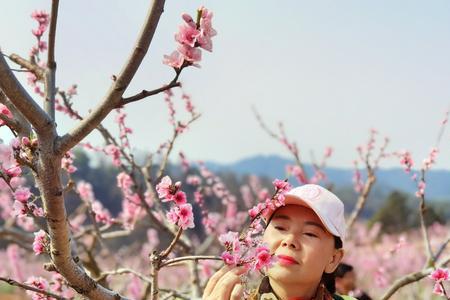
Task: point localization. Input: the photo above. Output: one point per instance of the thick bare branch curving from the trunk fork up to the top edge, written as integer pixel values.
(114, 95)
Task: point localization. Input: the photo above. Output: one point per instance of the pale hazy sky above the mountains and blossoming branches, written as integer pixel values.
(330, 70)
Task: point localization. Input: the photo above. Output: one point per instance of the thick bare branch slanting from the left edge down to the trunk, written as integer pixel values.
(21, 99)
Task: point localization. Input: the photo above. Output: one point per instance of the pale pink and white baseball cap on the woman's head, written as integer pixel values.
(327, 206)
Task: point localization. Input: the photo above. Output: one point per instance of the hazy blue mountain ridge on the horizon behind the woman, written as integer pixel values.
(273, 166)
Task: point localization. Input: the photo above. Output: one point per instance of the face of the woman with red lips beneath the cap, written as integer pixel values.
(305, 249)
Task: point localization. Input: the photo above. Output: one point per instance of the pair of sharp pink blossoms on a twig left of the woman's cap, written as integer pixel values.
(181, 213)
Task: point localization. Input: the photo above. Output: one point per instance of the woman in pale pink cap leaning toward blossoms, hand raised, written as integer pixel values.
(306, 237)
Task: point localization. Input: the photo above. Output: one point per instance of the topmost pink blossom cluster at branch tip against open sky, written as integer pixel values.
(190, 36)
